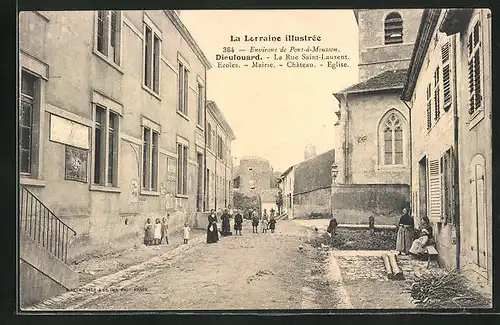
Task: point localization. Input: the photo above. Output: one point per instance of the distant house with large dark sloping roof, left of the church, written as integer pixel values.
(307, 186)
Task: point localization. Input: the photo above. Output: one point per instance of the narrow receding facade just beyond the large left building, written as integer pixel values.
(219, 167)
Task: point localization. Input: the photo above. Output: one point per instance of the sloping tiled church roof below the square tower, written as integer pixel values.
(391, 79)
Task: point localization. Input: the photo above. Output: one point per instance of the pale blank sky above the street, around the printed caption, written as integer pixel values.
(275, 113)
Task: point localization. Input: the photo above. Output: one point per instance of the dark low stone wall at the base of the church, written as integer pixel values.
(355, 203)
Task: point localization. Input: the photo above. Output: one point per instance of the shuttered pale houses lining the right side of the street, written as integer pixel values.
(450, 93)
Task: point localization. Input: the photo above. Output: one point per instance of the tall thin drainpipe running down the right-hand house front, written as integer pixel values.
(456, 190)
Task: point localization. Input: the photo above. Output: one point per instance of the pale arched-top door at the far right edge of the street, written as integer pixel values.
(478, 212)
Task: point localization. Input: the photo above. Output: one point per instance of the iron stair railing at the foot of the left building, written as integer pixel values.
(43, 226)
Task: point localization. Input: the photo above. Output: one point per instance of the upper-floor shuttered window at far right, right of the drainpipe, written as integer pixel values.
(474, 69)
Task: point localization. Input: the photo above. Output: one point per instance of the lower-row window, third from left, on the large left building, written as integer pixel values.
(150, 159)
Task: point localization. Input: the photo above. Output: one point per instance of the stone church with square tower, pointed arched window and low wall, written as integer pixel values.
(372, 131)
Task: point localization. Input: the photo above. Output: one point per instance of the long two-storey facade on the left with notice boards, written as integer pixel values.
(115, 133)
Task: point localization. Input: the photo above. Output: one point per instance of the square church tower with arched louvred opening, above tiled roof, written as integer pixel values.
(386, 39)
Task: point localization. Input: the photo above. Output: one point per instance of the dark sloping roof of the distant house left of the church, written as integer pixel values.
(314, 173)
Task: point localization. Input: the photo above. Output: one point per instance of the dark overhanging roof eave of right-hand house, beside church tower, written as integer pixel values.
(424, 36)
